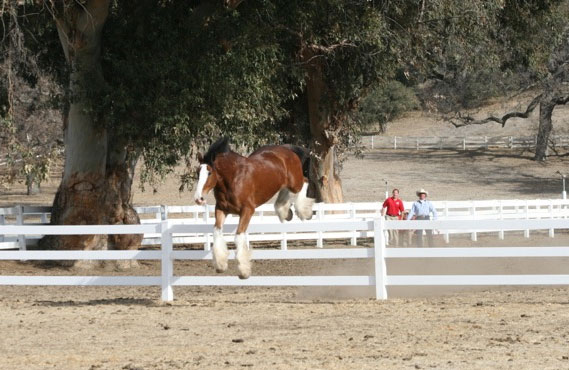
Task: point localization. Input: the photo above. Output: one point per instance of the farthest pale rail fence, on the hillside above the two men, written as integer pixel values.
(459, 142)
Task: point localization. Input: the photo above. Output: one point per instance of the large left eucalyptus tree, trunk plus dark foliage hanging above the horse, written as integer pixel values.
(150, 80)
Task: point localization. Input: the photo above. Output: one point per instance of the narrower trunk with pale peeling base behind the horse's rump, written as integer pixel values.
(324, 175)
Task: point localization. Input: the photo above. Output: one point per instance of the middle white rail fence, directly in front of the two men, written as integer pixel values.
(204, 215)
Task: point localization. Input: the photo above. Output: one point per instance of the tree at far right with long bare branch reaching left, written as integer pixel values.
(532, 40)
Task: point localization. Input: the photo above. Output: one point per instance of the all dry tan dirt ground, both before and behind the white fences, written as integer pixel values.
(316, 328)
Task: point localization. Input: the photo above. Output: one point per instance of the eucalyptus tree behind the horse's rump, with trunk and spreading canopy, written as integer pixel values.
(343, 49)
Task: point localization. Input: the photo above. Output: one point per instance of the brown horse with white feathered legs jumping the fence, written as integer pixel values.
(241, 184)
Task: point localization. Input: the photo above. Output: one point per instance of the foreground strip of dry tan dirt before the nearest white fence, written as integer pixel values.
(126, 328)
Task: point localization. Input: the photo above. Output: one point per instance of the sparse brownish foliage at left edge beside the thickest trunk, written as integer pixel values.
(30, 132)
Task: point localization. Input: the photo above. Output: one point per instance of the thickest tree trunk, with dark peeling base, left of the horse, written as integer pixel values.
(97, 176)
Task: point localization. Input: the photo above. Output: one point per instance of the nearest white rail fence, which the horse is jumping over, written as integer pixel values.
(380, 279)
